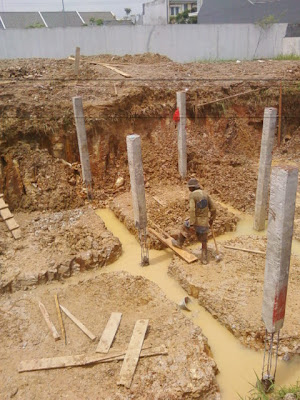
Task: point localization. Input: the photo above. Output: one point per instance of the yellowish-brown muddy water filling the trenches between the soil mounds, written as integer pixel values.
(237, 364)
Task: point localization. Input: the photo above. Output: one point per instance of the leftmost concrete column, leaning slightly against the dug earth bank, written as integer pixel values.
(82, 140)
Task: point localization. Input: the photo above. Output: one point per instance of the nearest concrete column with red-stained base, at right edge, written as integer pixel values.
(284, 182)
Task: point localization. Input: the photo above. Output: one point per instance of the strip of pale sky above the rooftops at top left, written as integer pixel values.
(115, 6)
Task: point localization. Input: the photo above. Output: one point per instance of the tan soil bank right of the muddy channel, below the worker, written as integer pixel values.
(232, 291)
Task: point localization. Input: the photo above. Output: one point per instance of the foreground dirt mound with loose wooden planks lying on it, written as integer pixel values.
(186, 372)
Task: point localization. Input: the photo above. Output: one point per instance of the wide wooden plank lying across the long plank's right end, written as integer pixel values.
(133, 353)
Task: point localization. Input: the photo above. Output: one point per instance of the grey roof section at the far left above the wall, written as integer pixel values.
(20, 20)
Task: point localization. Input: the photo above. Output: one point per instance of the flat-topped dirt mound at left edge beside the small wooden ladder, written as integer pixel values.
(54, 246)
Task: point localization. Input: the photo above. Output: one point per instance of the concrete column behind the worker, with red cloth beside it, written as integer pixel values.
(181, 139)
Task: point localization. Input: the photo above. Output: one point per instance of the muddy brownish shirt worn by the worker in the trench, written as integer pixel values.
(200, 207)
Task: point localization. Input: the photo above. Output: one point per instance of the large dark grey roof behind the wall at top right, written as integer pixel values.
(246, 11)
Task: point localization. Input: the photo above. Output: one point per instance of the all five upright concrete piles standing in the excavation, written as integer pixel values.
(284, 180)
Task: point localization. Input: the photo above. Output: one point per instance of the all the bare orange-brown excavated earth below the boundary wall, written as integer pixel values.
(63, 240)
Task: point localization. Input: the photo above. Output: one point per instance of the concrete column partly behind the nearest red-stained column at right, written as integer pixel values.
(265, 161)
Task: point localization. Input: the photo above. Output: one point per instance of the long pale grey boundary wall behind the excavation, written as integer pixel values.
(182, 43)
